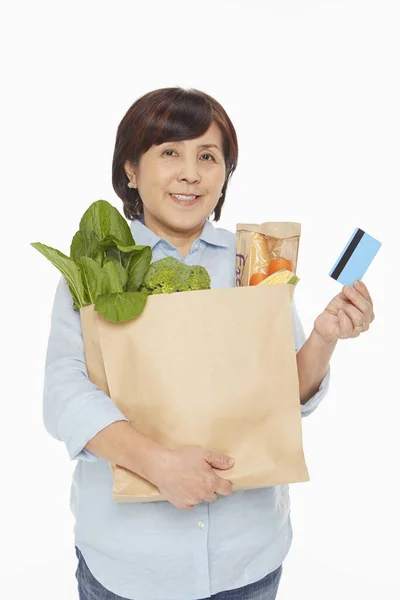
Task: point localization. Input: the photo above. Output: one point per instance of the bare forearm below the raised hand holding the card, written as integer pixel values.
(312, 364)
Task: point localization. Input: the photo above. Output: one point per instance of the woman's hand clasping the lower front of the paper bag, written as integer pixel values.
(186, 476)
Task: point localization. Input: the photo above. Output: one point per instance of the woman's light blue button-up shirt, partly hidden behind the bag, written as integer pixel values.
(154, 551)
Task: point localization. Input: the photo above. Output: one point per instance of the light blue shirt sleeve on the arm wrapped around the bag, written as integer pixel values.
(74, 408)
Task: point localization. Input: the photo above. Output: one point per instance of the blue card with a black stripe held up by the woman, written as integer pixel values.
(356, 257)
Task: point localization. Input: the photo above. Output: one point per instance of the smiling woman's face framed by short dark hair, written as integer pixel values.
(189, 168)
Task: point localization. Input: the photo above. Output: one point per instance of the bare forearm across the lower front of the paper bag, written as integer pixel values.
(122, 445)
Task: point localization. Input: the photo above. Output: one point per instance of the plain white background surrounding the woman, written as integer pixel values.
(312, 89)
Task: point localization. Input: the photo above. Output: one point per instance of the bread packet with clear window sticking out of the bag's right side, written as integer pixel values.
(262, 250)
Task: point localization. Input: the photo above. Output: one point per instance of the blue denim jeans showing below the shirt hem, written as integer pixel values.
(90, 589)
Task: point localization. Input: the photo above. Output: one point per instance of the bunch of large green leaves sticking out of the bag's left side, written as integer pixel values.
(105, 267)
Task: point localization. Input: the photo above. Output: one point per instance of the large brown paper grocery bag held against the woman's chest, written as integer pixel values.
(214, 368)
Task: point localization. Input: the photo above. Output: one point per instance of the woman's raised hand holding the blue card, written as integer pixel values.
(358, 313)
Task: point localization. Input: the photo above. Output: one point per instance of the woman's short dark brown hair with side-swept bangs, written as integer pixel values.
(166, 115)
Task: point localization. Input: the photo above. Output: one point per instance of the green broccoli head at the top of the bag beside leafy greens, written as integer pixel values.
(169, 275)
